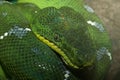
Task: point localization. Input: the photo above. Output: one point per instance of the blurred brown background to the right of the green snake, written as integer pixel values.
(109, 12)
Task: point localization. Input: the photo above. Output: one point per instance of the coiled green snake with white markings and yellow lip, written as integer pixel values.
(52, 40)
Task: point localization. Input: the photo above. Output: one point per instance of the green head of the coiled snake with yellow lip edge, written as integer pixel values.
(67, 32)
